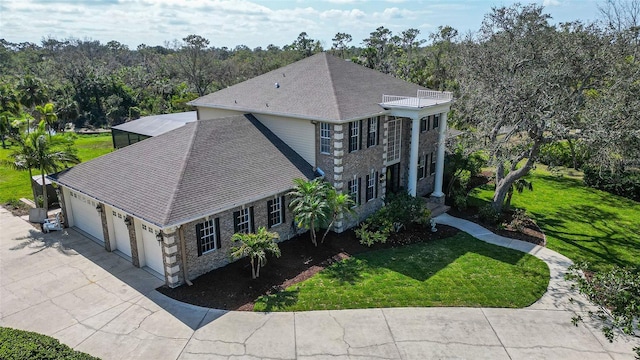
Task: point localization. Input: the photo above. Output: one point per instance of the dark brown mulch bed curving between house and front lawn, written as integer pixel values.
(231, 287)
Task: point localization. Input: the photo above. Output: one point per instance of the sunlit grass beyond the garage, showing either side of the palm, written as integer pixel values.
(15, 184)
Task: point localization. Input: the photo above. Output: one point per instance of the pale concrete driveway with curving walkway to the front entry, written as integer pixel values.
(64, 285)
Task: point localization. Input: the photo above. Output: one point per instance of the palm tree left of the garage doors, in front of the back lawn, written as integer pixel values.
(36, 150)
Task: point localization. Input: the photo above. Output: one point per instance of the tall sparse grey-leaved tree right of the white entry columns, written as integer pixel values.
(522, 83)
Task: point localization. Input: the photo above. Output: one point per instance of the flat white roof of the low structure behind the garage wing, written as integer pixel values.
(155, 125)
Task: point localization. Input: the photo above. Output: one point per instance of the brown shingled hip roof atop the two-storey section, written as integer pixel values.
(320, 87)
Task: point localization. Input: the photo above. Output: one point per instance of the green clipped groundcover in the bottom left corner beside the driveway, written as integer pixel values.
(18, 344)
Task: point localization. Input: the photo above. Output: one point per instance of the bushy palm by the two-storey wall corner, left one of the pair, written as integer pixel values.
(310, 205)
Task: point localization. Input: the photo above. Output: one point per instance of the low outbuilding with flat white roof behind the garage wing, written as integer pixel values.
(148, 126)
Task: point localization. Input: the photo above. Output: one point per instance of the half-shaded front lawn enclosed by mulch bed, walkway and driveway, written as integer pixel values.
(458, 271)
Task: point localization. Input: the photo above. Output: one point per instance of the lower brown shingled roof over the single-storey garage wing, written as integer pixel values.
(196, 170)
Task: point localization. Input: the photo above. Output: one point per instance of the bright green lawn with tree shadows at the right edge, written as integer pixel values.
(581, 223)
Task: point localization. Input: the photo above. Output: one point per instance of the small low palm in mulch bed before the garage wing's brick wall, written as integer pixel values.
(255, 246)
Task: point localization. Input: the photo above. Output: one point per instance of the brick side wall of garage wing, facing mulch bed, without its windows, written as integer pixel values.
(198, 265)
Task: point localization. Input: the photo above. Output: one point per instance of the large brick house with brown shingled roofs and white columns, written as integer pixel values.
(172, 202)
